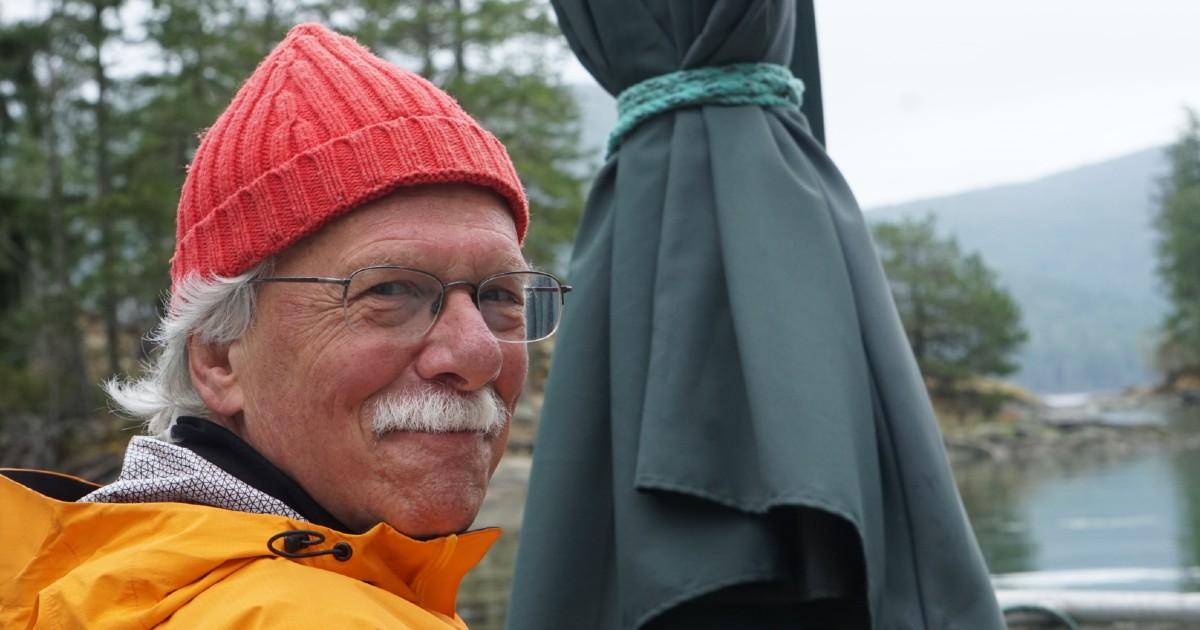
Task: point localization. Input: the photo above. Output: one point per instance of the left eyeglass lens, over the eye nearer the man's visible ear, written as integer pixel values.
(401, 302)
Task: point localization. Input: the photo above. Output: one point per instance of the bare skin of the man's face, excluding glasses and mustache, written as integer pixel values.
(310, 383)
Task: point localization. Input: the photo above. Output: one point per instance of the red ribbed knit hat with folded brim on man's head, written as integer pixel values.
(321, 128)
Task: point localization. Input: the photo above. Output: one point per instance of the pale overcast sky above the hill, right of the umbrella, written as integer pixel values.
(935, 97)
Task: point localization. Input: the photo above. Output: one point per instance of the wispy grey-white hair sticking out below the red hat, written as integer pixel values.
(217, 310)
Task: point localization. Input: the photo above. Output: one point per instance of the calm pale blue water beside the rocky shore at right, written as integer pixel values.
(1131, 524)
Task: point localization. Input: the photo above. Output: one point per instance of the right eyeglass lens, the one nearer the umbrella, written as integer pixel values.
(521, 307)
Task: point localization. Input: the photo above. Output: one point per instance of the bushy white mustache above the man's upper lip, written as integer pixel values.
(437, 411)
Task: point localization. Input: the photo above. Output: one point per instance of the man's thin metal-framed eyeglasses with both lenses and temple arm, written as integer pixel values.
(518, 307)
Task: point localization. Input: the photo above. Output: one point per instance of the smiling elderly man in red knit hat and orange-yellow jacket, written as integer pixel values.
(345, 346)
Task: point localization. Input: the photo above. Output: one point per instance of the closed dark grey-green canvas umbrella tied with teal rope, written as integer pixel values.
(735, 430)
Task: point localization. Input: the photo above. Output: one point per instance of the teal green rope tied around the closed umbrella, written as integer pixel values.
(737, 85)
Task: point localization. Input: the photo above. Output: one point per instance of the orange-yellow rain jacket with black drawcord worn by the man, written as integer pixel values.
(101, 566)
